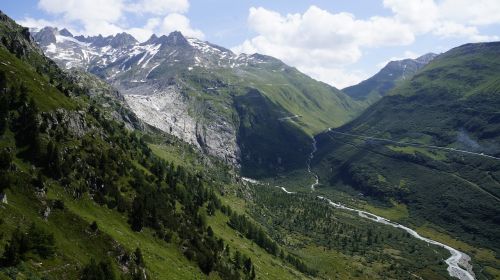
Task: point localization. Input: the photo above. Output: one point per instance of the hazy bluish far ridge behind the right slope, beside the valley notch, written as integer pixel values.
(387, 78)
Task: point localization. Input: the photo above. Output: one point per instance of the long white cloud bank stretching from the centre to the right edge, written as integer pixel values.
(321, 43)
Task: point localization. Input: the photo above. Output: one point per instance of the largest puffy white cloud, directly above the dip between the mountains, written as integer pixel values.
(320, 43)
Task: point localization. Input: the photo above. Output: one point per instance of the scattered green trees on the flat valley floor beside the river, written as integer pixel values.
(328, 229)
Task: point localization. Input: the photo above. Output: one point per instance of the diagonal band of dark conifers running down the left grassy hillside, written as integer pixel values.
(105, 168)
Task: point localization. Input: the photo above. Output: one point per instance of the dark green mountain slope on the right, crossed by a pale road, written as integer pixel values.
(453, 103)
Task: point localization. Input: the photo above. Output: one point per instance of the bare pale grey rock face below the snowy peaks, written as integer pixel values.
(167, 109)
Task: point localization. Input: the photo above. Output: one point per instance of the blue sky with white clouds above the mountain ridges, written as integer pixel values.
(338, 42)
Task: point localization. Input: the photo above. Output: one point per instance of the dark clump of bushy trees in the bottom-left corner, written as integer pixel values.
(35, 241)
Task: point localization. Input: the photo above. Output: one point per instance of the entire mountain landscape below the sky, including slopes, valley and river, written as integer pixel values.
(175, 158)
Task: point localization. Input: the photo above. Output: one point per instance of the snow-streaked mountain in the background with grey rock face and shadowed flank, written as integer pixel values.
(191, 89)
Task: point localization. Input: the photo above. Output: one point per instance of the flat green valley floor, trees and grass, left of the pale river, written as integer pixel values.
(330, 240)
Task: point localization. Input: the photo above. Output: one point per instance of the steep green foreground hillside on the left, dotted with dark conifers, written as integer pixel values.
(85, 198)
